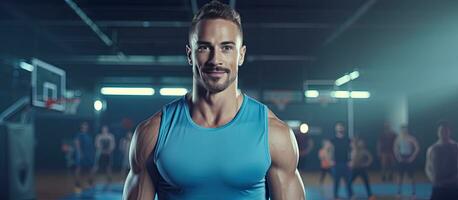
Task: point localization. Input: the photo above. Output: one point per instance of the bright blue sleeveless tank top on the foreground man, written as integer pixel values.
(198, 163)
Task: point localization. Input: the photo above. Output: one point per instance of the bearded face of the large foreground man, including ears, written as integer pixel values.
(215, 52)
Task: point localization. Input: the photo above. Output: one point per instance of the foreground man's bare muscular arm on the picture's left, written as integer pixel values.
(138, 185)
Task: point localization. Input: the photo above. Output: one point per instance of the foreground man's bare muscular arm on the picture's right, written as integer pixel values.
(283, 178)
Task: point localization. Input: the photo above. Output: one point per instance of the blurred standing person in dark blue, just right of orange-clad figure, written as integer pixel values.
(341, 149)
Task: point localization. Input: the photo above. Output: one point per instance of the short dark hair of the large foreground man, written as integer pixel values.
(216, 10)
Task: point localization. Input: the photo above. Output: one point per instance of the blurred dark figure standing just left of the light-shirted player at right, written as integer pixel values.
(385, 152)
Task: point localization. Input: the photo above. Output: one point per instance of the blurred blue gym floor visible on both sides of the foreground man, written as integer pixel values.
(59, 185)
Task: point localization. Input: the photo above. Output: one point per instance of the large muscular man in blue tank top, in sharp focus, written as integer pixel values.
(212, 143)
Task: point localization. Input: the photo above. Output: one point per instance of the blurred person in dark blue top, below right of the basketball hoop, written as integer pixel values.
(84, 156)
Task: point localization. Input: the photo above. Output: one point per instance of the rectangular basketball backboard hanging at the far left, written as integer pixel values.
(48, 86)
